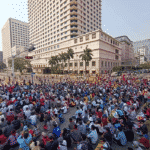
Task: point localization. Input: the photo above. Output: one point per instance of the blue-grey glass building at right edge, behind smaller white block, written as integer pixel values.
(138, 44)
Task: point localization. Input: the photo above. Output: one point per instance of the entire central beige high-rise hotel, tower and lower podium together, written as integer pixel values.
(56, 25)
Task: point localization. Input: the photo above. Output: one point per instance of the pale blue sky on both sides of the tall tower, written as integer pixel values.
(119, 17)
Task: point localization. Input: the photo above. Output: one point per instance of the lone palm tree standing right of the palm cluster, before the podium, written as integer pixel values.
(86, 56)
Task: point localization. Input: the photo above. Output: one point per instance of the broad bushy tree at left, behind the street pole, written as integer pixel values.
(20, 64)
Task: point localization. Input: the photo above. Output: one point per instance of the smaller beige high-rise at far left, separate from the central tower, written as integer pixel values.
(14, 33)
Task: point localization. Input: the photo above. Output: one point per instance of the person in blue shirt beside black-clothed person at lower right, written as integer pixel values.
(121, 138)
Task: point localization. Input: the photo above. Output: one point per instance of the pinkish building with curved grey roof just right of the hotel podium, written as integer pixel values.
(127, 55)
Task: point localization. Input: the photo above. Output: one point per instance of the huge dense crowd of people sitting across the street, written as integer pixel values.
(109, 110)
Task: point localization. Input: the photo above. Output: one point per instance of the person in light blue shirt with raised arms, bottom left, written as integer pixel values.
(24, 141)
